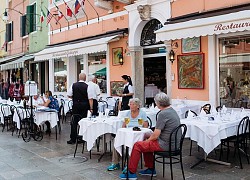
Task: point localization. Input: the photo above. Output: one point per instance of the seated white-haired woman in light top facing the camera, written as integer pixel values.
(133, 114)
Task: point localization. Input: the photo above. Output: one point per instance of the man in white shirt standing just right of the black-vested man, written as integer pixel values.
(96, 92)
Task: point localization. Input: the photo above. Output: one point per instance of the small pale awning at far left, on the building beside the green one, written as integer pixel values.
(19, 63)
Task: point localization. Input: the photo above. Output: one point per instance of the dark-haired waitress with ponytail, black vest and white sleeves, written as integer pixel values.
(128, 92)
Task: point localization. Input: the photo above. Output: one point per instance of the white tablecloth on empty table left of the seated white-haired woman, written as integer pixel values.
(91, 129)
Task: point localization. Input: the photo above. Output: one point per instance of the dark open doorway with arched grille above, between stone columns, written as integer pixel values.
(154, 61)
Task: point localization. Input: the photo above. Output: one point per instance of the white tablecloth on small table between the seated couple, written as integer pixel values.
(128, 137)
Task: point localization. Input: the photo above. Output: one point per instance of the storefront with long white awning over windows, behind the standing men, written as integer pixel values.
(89, 55)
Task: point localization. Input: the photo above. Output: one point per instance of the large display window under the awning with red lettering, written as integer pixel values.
(234, 64)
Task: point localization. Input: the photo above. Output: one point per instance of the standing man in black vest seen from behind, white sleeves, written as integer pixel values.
(82, 102)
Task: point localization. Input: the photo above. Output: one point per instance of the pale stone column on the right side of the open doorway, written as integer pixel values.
(168, 69)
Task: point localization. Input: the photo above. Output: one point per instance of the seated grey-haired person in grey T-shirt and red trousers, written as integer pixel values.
(167, 120)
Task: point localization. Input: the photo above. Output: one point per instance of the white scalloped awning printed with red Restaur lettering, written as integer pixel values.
(232, 22)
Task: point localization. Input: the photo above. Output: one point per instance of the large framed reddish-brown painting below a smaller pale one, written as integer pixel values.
(190, 69)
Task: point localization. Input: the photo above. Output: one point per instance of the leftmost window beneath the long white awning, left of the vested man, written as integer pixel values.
(60, 74)
